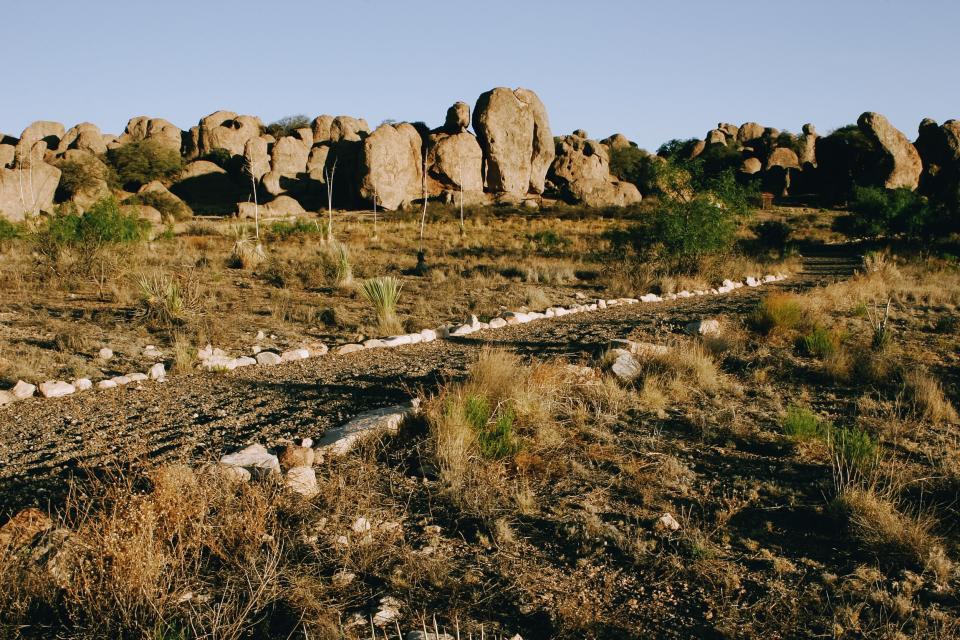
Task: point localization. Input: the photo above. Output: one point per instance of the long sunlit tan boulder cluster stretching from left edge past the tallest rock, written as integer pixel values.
(510, 157)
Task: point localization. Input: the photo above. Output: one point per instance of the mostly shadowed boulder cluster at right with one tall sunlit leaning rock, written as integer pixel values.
(871, 153)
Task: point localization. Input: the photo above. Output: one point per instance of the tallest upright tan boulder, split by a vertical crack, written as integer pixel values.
(514, 133)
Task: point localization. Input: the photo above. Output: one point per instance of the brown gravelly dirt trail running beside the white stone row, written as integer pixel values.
(200, 416)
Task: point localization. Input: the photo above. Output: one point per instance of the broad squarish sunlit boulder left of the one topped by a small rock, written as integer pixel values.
(391, 166)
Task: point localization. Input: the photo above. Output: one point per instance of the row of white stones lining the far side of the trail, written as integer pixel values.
(213, 359)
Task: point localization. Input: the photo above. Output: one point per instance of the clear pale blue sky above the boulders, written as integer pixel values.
(652, 70)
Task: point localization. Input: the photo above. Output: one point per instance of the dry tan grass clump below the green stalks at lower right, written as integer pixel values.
(875, 522)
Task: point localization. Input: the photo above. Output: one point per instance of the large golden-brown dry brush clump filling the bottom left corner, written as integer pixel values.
(123, 561)
